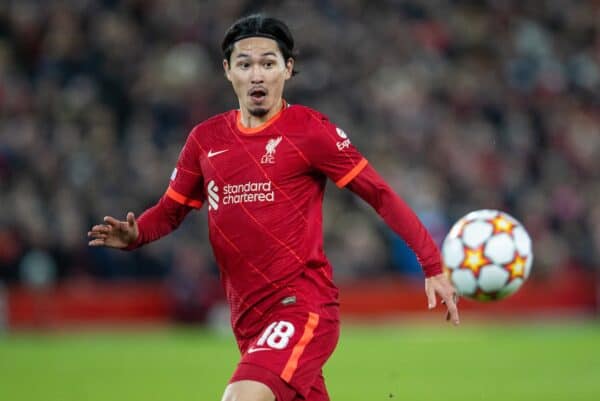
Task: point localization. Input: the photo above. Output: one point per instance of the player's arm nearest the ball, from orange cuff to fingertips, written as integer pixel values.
(372, 188)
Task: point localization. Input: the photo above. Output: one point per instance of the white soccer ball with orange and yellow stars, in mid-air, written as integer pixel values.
(487, 255)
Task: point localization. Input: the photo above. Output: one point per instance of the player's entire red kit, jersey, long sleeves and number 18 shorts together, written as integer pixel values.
(264, 189)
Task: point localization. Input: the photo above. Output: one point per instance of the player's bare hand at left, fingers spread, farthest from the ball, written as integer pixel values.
(114, 233)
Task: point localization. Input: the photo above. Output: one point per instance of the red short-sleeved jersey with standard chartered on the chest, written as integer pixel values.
(264, 188)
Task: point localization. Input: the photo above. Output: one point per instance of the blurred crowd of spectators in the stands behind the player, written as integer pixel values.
(461, 105)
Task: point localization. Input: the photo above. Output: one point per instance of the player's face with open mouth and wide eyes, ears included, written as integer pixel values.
(257, 72)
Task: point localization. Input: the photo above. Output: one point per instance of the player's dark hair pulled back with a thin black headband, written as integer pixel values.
(262, 26)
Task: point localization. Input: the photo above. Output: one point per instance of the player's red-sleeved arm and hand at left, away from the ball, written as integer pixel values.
(185, 192)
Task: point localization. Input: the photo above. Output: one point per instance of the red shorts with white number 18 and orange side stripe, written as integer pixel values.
(289, 353)
